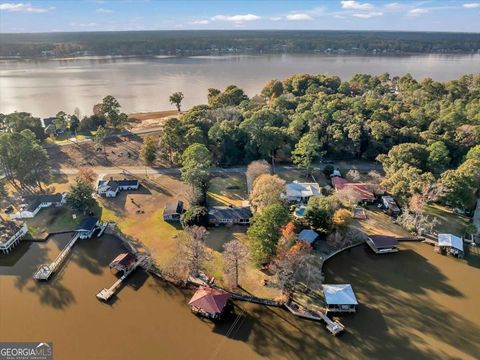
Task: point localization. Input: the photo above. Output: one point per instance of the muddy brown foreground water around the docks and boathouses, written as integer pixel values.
(414, 304)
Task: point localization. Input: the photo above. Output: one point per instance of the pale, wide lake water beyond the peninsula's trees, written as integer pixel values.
(46, 87)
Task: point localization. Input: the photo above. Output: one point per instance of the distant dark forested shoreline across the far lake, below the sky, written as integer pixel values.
(149, 43)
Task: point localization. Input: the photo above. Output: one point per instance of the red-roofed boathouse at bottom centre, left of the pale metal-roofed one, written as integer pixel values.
(208, 302)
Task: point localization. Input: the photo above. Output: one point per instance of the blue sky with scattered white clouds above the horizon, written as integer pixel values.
(99, 15)
